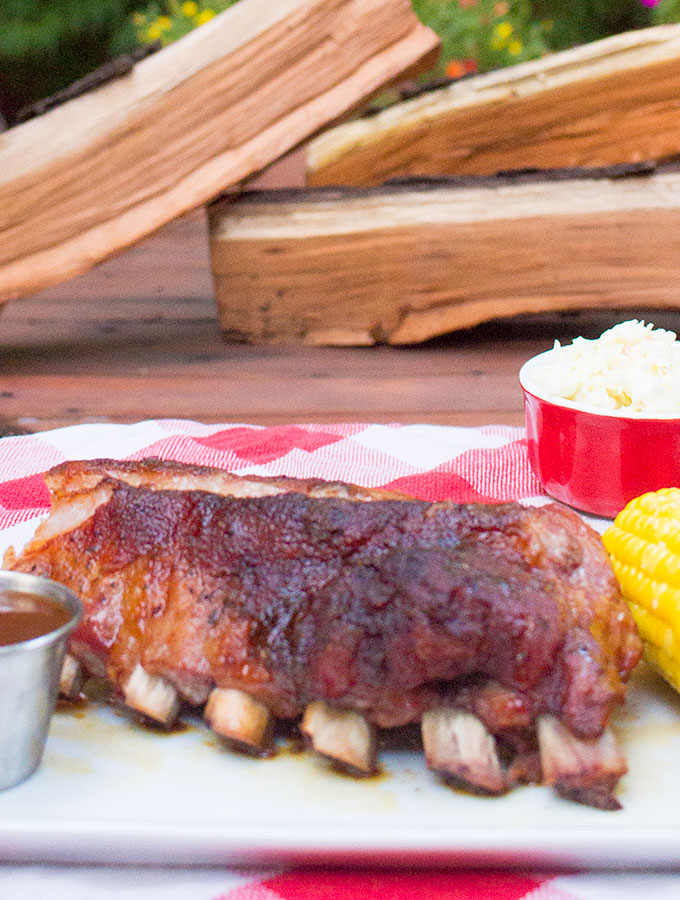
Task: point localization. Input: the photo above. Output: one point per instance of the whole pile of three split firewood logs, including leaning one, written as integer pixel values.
(548, 186)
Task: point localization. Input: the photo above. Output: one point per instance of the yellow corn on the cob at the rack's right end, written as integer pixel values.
(644, 546)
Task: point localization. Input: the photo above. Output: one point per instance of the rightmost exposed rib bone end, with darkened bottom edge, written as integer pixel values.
(583, 770)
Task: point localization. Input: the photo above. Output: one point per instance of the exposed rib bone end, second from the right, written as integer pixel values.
(457, 744)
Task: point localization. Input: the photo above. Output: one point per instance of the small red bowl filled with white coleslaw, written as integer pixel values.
(603, 419)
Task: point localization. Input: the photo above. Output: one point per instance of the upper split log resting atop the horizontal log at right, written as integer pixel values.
(613, 101)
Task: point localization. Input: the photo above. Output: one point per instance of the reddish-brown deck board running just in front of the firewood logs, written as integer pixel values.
(165, 348)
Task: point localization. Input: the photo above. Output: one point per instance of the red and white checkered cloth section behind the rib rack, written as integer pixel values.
(427, 461)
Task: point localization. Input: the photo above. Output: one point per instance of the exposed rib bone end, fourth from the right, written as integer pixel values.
(239, 718)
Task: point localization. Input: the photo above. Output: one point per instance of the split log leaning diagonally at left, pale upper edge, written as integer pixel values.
(96, 174)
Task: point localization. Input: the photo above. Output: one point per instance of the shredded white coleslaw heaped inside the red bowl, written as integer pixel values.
(631, 368)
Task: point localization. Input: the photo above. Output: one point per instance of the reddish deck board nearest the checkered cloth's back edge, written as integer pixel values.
(63, 398)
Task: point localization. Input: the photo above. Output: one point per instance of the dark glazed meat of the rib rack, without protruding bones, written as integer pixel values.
(389, 607)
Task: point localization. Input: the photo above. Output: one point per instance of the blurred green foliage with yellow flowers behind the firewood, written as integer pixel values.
(47, 44)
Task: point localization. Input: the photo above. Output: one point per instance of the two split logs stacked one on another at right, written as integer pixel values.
(410, 231)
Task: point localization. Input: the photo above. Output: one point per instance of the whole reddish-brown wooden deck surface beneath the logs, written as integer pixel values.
(138, 337)
